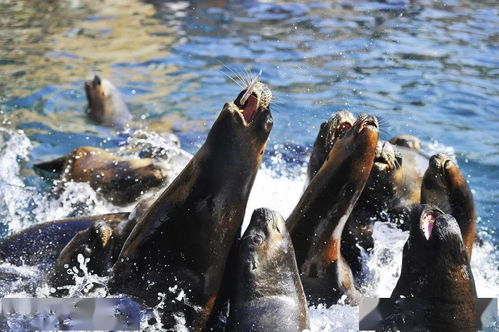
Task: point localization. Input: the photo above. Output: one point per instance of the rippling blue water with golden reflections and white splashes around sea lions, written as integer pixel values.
(428, 68)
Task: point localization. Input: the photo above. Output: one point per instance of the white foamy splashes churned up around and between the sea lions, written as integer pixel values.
(276, 190)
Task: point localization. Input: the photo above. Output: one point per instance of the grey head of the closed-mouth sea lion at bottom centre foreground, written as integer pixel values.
(265, 244)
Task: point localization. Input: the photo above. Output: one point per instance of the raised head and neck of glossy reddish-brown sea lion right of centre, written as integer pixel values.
(318, 220)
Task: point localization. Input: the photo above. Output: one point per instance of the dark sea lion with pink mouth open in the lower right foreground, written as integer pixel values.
(436, 281)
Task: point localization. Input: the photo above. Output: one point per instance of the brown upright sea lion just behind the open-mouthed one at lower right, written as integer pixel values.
(445, 186)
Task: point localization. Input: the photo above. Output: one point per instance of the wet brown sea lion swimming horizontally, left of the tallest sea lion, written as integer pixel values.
(120, 180)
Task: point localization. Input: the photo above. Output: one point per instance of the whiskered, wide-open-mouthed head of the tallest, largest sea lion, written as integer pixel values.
(243, 126)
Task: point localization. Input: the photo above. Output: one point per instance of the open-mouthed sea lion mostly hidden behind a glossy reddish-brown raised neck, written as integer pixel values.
(329, 132)
